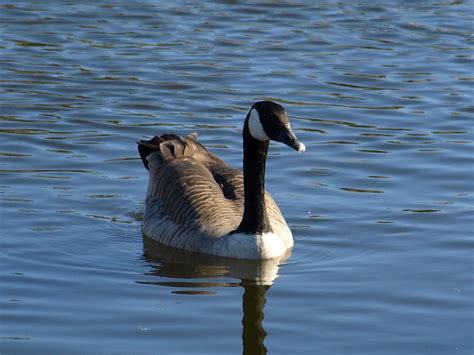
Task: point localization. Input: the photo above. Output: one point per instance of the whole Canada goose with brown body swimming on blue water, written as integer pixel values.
(197, 202)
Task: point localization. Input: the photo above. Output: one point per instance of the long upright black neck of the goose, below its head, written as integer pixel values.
(255, 220)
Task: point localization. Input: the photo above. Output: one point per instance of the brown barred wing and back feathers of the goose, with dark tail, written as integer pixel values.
(195, 187)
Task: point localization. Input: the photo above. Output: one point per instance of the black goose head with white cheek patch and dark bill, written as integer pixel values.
(268, 120)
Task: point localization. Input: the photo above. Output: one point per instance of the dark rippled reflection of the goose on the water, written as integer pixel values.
(256, 277)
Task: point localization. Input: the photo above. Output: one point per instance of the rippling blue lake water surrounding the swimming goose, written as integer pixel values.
(381, 203)
